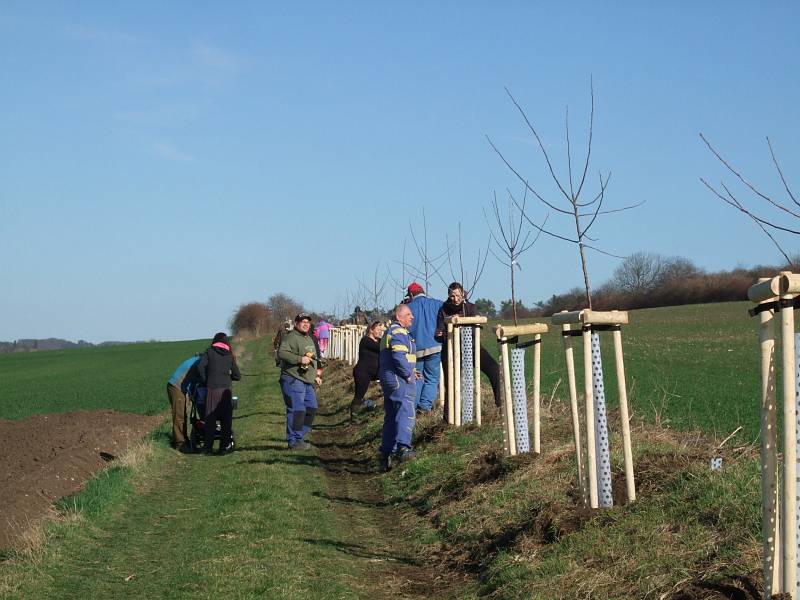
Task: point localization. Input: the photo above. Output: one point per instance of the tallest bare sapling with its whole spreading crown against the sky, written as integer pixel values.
(577, 210)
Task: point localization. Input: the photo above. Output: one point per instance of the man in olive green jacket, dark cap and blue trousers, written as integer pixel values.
(300, 371)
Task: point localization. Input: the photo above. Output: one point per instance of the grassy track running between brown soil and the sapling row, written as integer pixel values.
(261, 522)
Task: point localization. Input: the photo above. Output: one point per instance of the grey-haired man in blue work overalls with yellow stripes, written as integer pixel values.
(398, 376)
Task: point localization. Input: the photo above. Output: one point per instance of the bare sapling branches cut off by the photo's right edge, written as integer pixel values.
(784, 209)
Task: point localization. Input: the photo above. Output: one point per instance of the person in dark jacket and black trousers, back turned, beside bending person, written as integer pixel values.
(217, 369)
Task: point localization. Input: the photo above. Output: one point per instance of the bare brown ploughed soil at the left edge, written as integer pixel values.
(47, 457)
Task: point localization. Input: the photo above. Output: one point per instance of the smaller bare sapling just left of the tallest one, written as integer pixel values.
(515, 241)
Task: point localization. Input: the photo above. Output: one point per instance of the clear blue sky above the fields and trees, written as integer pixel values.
(162, 163)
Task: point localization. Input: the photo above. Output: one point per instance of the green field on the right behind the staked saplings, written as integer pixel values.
(688, 366)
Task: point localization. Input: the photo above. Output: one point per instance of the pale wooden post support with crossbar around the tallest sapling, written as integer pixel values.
(590, 321)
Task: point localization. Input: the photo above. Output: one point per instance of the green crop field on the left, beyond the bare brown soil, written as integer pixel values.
(130, 378)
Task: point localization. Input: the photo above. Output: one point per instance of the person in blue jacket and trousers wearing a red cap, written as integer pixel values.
(429, 351)
